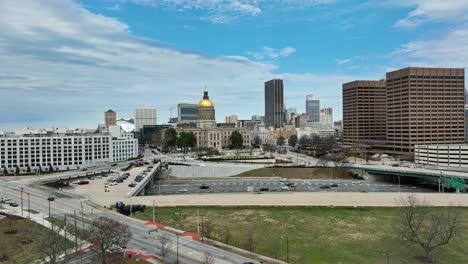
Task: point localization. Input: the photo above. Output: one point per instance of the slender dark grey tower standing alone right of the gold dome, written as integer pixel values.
(274, 103)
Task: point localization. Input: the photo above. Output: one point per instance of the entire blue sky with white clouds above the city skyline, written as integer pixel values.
(65, 62)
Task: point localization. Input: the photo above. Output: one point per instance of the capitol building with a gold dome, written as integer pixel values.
(209, 134)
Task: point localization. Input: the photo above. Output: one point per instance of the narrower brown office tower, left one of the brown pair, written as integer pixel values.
(364, 113)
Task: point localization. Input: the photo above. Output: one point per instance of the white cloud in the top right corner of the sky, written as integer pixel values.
(432, 11)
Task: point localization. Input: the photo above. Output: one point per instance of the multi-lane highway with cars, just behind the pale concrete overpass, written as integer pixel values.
(275, 185)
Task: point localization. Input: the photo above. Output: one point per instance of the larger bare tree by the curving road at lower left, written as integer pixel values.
(107, 235)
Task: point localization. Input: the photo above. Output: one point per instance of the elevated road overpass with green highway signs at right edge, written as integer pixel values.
(446, 179)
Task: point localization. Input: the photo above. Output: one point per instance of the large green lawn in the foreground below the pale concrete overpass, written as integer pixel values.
(315, 234)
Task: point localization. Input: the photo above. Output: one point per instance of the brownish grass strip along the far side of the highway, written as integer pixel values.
(299, 173)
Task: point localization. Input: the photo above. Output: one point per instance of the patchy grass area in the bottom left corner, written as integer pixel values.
(19, 247)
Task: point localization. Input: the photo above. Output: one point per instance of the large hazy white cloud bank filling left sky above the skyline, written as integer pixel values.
(63, 65)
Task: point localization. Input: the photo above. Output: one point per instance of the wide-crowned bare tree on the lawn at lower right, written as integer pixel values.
(427, 226)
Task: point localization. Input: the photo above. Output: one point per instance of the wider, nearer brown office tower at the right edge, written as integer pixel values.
(424, 106)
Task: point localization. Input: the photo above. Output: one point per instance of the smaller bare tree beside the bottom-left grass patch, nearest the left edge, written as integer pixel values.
(51, 243)
